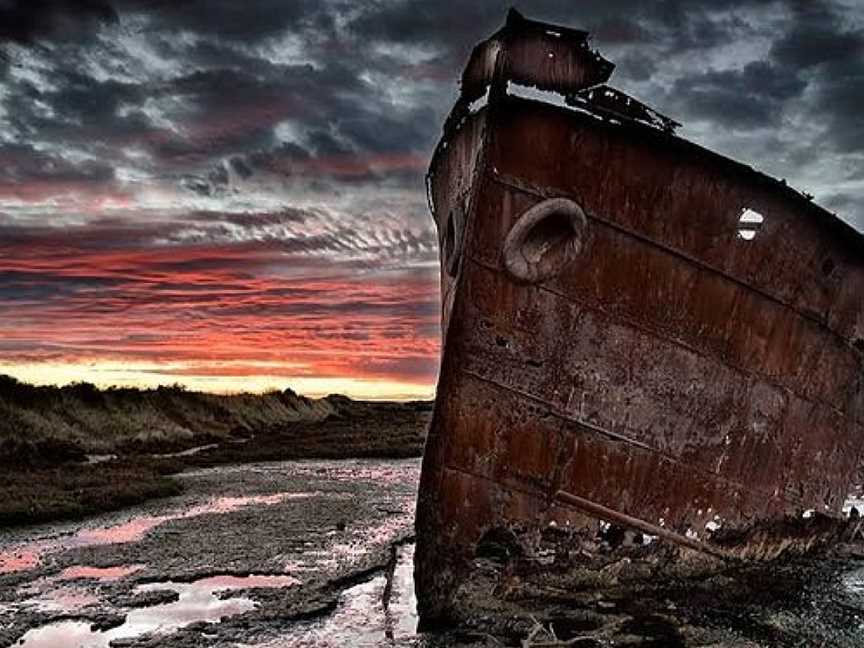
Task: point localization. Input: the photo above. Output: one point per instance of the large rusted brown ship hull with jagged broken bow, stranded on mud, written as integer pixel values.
(622, 344)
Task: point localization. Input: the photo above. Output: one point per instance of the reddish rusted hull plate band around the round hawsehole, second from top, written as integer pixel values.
(633, 280)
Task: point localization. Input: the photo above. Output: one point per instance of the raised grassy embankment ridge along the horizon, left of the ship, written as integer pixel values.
(46, 424)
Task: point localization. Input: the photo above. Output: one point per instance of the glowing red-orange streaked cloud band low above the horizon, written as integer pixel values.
(246, 309)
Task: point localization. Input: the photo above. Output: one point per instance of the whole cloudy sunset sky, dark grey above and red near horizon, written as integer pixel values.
(229, 194)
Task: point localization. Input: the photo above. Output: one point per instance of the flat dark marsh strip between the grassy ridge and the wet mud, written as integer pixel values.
(68, 487)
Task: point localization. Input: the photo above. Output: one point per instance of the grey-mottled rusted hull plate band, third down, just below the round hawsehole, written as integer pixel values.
(651, 392)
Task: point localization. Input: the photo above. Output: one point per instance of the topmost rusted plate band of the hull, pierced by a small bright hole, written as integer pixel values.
(690, 200)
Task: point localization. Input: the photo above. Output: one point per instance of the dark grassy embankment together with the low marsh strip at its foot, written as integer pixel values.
(47, 433)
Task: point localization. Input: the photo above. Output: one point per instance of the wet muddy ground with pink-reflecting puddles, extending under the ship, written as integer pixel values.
(319, 553)
